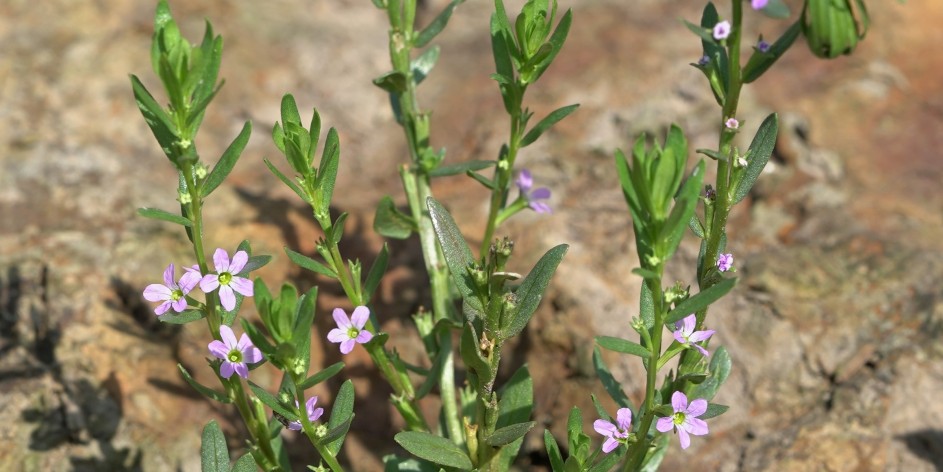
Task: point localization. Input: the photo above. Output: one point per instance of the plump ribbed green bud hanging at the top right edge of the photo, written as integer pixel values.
(834, 27)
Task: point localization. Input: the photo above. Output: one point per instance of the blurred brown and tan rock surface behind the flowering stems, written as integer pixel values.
(834, 329)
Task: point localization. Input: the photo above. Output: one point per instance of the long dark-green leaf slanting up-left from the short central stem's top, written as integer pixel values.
(457, 254)
